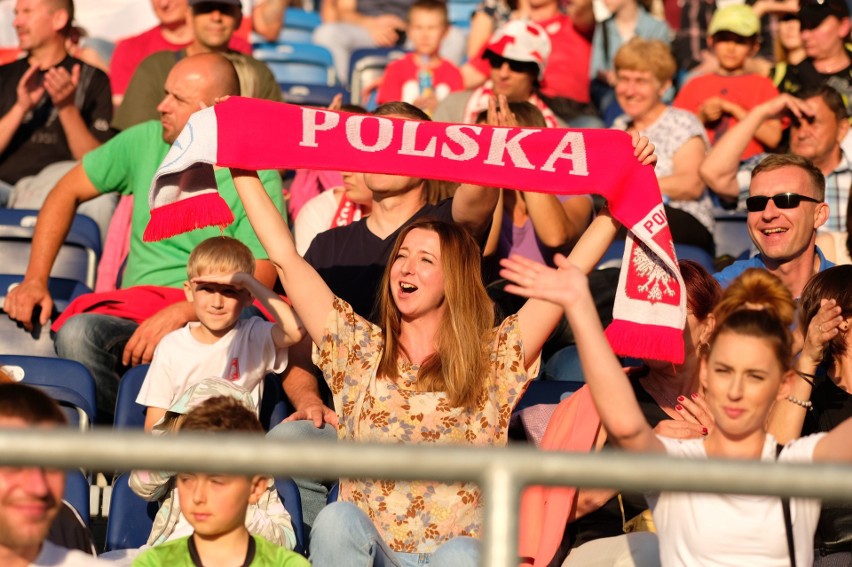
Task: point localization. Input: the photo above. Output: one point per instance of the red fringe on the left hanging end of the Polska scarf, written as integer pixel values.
(207, 209)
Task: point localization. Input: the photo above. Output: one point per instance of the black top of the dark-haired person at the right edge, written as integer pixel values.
(832, 406)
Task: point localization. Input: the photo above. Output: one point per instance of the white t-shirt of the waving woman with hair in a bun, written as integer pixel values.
(731, 529)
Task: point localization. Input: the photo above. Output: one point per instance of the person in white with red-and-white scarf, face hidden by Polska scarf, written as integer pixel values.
(337, 206)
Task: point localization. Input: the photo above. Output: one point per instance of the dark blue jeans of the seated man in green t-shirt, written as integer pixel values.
(97, 342)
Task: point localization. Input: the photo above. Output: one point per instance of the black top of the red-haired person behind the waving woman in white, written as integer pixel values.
(607, 520)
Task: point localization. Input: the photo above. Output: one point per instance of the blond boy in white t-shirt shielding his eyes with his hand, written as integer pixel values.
(220, 344)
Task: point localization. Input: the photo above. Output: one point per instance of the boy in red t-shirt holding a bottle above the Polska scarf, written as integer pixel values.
(422, 78)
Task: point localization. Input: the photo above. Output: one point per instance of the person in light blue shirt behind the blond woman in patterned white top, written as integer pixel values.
(628, 19)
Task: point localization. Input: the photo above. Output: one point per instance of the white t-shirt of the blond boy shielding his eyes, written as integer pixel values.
(244, 356)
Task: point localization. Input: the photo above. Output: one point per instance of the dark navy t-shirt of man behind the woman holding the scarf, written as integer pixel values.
(352, 260)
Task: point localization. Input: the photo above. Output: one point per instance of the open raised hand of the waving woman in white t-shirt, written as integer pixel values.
(531, 279)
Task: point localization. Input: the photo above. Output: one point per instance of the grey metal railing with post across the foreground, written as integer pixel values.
(501, 473)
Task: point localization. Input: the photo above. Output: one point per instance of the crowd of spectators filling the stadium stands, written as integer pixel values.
(742, 108)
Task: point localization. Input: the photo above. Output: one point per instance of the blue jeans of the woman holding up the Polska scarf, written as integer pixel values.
(344, 536)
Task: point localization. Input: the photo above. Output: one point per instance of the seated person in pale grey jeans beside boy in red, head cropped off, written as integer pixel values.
(349, 25)
